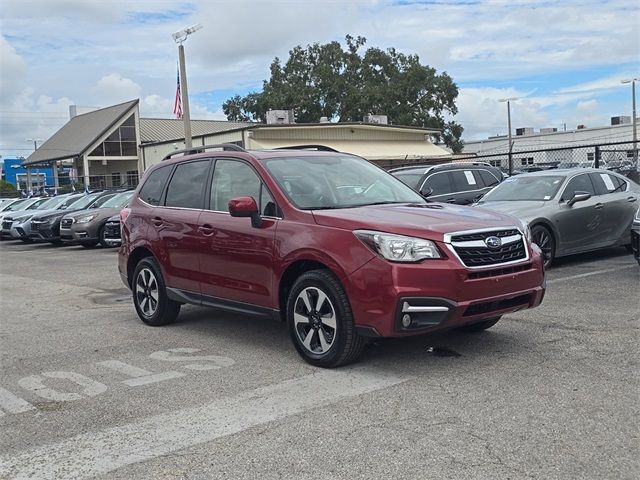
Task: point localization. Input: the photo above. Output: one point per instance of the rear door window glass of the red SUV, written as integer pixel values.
(186, 188)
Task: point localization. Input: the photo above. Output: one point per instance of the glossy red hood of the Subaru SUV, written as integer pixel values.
(431, 220)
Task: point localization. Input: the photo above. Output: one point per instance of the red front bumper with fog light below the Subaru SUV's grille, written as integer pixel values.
(439, 294)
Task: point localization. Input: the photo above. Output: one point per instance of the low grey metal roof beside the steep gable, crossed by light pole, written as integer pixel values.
(154, 130)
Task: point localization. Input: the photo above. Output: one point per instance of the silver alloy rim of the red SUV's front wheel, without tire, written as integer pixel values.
(314, 319)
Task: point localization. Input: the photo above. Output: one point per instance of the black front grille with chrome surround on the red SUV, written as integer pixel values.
(473, 251)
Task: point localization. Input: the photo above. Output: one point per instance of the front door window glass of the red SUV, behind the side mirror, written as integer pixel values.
(232, 179)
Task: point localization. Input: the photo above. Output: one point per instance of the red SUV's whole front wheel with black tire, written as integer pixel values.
(342, 344)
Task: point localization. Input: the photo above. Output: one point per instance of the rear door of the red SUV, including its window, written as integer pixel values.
(176, 225)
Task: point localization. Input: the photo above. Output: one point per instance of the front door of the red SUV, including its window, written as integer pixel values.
(236, 258)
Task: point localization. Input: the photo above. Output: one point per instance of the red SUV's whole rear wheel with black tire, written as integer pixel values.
(162, 311)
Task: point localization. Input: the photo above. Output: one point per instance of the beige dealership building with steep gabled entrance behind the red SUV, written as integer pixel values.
(112, 146)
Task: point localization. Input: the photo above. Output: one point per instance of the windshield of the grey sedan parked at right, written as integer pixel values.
(536, 187)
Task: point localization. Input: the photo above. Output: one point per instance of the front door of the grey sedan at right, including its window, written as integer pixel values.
(580, 225)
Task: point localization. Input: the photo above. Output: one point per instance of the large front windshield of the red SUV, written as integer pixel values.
(326, 182)
